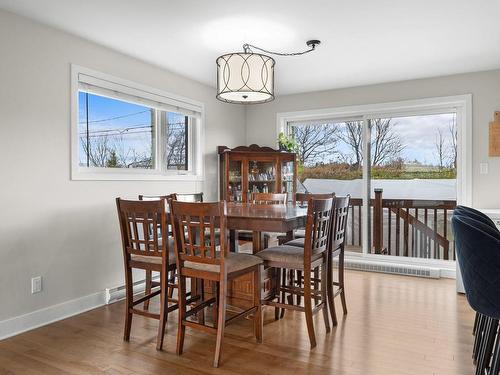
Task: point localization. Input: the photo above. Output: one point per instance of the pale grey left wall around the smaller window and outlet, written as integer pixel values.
(63, 230)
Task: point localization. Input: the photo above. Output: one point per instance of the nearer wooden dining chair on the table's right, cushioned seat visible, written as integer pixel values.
(313, 255)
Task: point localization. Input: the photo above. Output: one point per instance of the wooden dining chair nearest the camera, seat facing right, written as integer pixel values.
(197, 257)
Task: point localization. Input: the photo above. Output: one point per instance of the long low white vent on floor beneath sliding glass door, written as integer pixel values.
(384, 267)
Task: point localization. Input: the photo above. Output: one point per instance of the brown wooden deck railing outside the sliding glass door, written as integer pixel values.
(405, 227)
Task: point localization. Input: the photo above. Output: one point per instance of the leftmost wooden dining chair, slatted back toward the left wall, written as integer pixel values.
(147, 246)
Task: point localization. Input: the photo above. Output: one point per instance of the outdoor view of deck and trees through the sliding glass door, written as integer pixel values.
(412, 173)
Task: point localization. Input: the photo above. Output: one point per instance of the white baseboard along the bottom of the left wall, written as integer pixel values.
(19, 324)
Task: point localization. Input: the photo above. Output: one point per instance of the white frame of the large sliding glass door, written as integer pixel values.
(461, 104)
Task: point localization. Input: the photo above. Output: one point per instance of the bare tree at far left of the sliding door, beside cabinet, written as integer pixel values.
(315, 142)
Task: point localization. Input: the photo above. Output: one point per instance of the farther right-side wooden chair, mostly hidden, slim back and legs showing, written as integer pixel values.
(337, 249)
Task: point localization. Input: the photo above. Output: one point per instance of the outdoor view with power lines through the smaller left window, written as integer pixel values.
(118, 134)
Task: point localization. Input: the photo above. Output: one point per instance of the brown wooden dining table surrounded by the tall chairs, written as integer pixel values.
(260, 218)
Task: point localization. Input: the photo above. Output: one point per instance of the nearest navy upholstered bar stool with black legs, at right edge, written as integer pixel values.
(478, 253)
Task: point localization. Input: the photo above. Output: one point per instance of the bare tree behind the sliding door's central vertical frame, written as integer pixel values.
(386, 144)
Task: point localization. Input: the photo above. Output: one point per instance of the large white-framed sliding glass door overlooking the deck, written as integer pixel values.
(419, 170)
